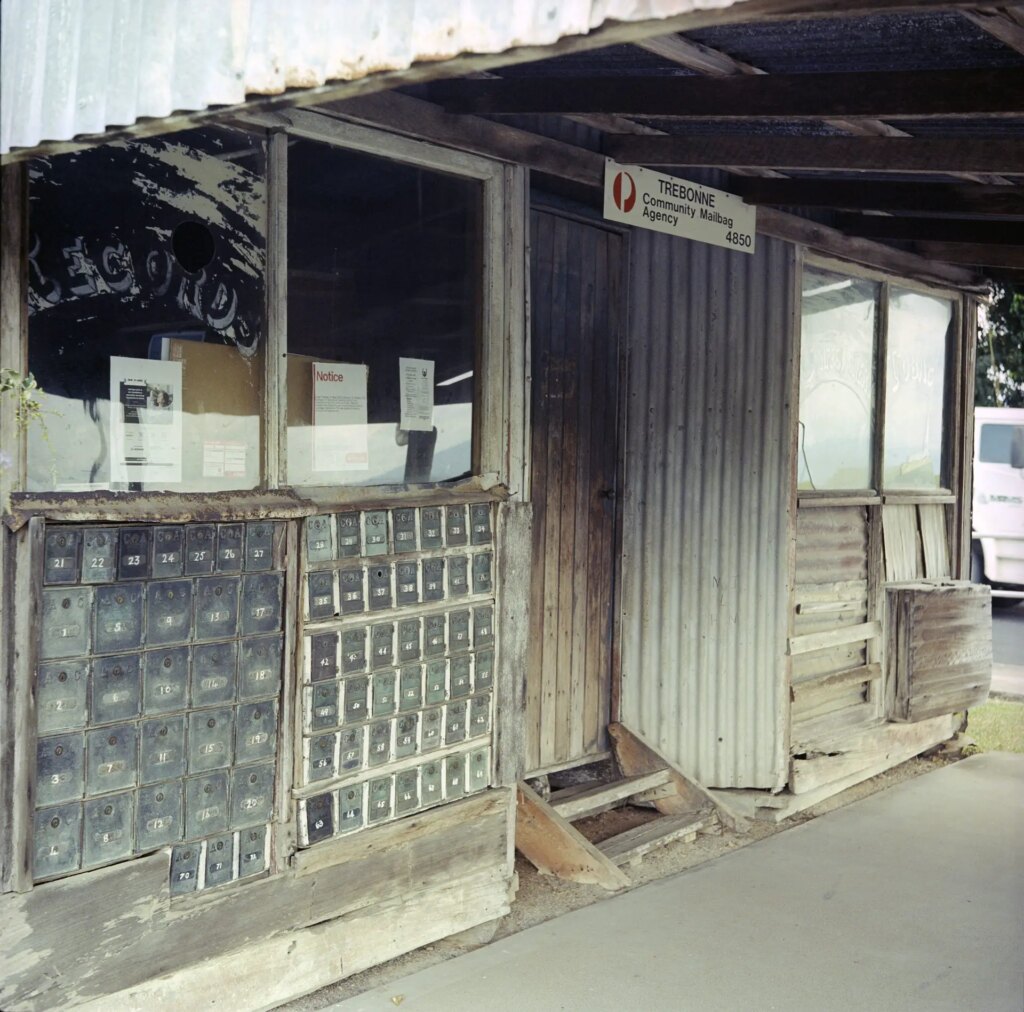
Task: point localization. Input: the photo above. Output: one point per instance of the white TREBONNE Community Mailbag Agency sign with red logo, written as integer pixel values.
(652, 200)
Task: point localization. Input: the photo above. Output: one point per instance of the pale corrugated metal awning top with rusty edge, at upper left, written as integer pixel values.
(80, 67)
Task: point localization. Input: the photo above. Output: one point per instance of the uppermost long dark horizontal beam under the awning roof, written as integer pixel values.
(914, 94)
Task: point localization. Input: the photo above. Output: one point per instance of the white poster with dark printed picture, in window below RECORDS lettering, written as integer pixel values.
(146, 420)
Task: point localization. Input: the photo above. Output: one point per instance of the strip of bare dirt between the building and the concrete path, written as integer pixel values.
(541, 898)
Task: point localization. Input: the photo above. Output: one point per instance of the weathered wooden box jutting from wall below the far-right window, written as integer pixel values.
(940, 649)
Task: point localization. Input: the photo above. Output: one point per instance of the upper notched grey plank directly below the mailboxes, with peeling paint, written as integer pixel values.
(50, 938)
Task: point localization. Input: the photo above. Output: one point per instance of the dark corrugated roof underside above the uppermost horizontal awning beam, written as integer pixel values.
(919, 41)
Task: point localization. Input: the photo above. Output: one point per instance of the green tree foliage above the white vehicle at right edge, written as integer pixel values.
(999, 379)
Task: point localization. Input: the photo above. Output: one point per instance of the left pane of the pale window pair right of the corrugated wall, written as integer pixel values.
(837, 382)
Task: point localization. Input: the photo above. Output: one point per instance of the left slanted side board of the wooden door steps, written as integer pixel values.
(552, 846)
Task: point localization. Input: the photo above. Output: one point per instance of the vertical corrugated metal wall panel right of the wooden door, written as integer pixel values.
(705, 582)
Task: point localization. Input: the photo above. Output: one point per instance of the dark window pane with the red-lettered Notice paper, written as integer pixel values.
(385, 266)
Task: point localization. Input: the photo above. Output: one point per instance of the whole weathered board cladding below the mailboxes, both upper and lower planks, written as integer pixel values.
(71, 942)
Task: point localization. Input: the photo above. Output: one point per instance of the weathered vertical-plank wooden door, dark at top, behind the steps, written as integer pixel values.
(577, 315)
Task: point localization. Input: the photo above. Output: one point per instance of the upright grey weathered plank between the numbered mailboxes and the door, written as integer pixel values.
(514, 625)
